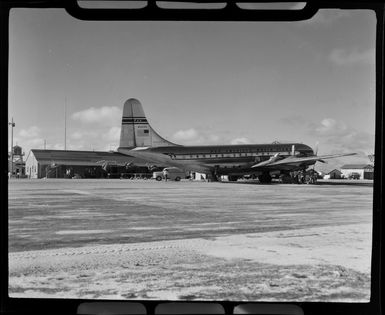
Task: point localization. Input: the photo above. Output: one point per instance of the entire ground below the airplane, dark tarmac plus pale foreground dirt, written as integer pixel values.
(124, 239)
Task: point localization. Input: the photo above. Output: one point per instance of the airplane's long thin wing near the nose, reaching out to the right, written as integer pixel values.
(298, 161)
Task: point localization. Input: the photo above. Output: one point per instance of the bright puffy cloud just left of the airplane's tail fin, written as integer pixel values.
(104, 115)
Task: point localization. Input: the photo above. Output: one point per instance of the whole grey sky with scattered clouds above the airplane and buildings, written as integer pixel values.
(200, 83)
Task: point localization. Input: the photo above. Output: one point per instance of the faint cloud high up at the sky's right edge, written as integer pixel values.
(343, 57)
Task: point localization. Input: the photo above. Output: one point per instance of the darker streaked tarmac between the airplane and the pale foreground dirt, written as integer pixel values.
(53, 213)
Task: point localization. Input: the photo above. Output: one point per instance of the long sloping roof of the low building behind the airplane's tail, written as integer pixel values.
(81, 157)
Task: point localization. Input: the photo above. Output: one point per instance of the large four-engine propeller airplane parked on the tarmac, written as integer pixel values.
(138, 139)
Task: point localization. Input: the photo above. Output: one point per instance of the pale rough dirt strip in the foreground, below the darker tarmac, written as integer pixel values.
(267, 266)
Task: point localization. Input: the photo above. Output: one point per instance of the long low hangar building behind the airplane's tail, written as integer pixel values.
(82, 164)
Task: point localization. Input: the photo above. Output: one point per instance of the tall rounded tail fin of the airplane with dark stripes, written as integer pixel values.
(136, 131)
